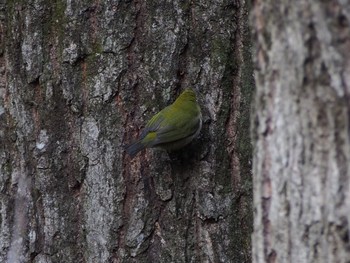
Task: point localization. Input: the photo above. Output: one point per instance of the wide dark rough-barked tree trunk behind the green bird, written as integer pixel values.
(78, 81)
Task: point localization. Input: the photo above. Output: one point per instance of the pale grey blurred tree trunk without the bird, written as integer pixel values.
(301, 131)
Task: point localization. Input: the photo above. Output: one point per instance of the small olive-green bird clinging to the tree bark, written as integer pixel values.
(173, 127)
